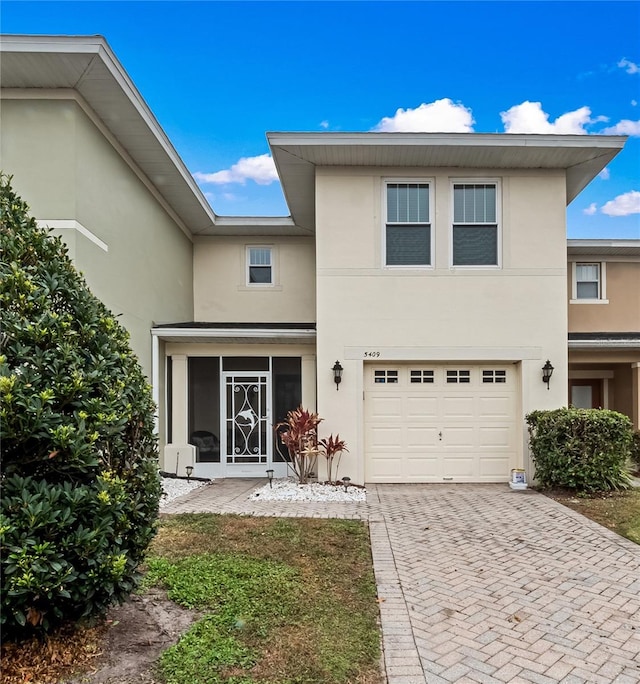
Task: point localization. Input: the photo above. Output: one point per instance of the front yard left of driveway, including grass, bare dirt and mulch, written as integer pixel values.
(257, 600)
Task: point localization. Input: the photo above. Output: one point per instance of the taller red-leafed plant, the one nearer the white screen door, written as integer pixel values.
(299, 434)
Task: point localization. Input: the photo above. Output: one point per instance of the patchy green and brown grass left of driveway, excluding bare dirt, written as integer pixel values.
(286, 601)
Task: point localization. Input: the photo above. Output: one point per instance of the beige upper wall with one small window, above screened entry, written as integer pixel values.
(221, 292)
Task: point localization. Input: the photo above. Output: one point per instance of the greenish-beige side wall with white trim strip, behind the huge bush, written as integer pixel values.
(135, 257)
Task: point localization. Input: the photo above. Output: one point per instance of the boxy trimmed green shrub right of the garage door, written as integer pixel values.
(586, 450)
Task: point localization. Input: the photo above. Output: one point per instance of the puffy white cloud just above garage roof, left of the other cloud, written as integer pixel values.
(435, 117)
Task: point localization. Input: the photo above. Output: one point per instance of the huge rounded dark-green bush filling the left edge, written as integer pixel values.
(79, 473)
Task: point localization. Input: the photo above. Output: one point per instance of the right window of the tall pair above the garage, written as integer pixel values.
(475, 224)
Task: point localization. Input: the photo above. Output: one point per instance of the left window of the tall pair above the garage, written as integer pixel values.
(408, 226)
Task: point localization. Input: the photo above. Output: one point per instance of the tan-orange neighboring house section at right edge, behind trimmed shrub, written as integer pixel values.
(604, 325)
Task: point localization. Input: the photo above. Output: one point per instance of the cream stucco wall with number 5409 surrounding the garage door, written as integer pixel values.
(516, 313)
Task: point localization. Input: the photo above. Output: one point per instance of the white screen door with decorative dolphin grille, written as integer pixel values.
(247, 433)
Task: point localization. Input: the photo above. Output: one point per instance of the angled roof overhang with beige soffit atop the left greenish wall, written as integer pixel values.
(88, 66)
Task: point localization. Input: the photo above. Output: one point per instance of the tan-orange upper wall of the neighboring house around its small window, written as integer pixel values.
(620, 311)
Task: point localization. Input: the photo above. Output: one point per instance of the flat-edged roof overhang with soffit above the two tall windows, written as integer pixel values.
(297, 155)
